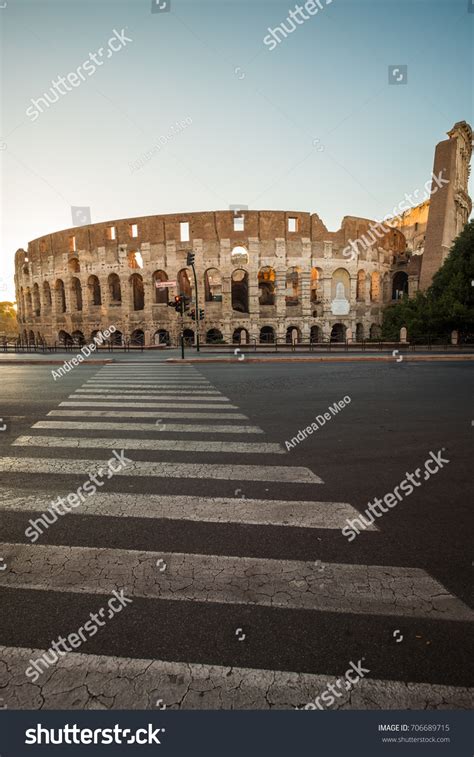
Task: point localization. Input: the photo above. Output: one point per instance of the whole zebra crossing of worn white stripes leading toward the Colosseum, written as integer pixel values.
(176, 505)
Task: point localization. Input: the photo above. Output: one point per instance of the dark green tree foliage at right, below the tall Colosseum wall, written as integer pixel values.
(448, 304)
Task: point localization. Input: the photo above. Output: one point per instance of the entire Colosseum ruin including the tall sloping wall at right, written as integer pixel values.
(261, 275)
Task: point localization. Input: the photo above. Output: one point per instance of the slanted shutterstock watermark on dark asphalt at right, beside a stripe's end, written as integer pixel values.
(404, 489)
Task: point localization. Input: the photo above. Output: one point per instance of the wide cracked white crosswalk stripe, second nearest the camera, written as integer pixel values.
(357, 589)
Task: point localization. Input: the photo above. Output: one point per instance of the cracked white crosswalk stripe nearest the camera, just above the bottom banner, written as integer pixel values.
(194, 686)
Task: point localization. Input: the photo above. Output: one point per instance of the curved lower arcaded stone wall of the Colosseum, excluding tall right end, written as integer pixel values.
(67, 259)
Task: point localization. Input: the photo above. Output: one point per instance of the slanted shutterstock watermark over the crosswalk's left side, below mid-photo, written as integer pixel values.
(76, 498)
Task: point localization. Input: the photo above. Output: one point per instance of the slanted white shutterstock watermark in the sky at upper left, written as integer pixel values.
(60, 87)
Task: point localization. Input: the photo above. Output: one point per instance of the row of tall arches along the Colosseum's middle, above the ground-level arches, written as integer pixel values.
(32, 302)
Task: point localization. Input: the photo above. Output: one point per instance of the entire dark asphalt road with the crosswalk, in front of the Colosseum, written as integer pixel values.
(307, 601)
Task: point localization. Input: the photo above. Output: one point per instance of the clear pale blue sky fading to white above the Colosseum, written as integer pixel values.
(309, 124)
